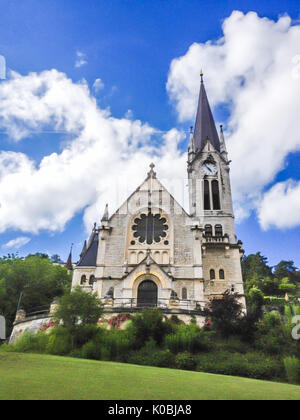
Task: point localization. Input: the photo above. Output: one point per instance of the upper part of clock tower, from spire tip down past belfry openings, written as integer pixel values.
(208, 172)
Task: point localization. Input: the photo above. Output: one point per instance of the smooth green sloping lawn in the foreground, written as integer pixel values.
(30, 376)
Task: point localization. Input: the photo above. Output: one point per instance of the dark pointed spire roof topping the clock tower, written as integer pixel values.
(205, 127)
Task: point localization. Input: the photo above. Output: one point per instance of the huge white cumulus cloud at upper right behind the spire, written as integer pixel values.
(254, 70)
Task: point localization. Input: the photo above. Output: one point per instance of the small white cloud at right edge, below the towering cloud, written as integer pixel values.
(280, 206)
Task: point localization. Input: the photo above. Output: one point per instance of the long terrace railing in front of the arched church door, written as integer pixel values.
(131, 303)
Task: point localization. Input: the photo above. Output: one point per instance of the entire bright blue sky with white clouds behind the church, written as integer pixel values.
(91, 92)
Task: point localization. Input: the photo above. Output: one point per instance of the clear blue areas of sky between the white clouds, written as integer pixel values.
(129, 45)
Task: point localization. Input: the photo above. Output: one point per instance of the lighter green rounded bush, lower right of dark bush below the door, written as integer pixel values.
(187, 338)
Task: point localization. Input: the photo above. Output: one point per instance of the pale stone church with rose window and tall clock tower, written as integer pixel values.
(152, 253)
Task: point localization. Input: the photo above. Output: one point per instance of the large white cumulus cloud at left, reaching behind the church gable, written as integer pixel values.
(103, 161)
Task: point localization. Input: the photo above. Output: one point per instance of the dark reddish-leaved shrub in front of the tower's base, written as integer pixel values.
(225, 313)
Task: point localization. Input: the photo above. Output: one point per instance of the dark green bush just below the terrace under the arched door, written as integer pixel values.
(149, 324)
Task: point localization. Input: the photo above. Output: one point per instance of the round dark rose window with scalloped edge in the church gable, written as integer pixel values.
(150, 228)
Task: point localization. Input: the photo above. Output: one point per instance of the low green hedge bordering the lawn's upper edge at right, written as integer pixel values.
(250, 365)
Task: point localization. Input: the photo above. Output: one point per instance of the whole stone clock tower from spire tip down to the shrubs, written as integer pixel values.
(210, 202)
